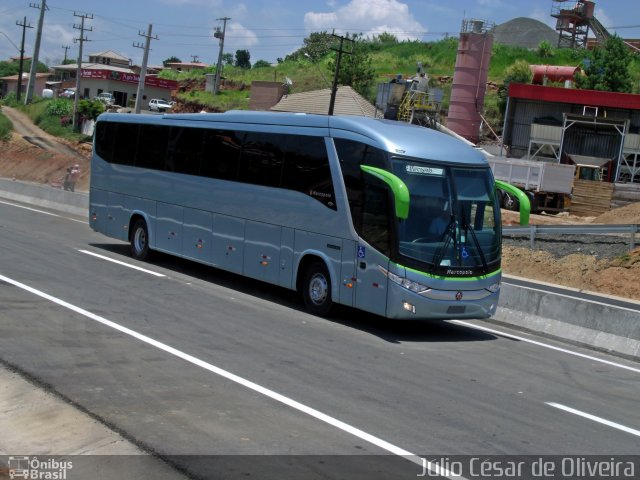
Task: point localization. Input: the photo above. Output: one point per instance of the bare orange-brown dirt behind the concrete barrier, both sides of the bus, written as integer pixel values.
(46, 163)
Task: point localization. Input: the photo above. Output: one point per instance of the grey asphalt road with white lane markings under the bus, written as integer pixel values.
(187, 360)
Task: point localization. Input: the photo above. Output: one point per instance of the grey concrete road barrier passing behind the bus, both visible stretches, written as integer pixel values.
(597, 325)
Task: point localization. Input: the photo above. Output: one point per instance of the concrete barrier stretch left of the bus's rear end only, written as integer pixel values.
(76, 203)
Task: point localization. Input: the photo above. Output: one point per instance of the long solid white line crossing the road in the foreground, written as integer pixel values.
(423, 463)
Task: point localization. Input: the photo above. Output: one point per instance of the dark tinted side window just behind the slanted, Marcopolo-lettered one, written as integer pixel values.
(262, 159)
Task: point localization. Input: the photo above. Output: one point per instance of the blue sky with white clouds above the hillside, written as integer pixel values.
(268, 29)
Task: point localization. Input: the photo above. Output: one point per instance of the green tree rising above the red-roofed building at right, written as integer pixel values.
(607, 68)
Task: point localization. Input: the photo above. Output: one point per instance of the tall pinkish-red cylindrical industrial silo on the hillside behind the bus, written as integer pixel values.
(470, 79)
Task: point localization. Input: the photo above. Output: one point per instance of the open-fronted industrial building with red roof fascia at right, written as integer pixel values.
(562, 124)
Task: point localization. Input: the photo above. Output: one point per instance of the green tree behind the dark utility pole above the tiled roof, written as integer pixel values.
(355, 68)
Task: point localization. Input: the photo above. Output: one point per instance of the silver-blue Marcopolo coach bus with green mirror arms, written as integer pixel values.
(390, 218)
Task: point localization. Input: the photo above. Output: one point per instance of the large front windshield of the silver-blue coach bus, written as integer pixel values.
(453, 227)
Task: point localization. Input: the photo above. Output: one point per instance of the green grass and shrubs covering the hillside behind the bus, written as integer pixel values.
(387, 59)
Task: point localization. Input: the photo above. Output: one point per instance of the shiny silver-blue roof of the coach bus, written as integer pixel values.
(393, 136)
